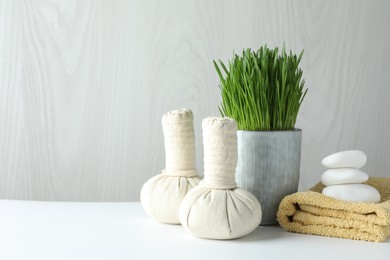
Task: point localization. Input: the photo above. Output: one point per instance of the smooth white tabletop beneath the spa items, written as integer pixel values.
(72, 231)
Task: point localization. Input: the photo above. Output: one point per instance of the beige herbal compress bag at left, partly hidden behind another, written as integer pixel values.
(162, 195)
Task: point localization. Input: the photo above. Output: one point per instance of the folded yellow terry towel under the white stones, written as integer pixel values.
(310, 212)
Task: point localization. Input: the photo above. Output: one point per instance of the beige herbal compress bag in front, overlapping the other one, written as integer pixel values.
(217, 209)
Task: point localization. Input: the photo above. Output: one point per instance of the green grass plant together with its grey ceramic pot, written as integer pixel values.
(263, 90)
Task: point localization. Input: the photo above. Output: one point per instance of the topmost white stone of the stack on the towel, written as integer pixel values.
(346, 159)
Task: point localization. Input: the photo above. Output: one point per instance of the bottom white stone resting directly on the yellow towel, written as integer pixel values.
(352, 192)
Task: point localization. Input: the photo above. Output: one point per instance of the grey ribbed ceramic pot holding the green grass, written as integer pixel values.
(268, 166)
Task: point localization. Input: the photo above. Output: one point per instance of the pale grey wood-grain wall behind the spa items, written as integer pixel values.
(83, 85)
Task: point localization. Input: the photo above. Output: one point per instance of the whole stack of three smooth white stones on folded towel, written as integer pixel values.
(344, 179)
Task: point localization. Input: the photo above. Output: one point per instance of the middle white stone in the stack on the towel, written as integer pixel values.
(343, 176)
